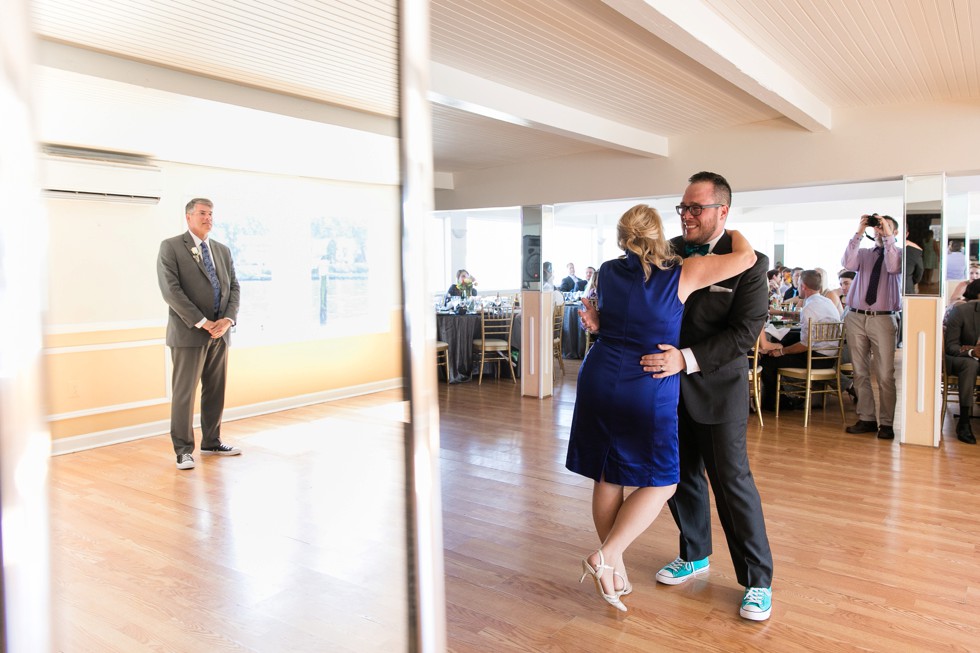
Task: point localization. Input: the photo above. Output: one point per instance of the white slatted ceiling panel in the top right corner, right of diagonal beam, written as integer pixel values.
(868, 52)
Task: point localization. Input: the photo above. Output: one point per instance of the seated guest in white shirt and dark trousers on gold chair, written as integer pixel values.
(815, 307)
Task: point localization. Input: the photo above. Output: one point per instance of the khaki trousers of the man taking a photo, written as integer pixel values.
(867, 336)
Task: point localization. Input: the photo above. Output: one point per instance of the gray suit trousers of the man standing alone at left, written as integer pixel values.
(209, 365)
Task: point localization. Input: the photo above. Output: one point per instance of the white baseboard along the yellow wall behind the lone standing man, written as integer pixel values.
(161, 427)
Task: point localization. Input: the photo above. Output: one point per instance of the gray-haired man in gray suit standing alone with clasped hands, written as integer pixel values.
(197, 279)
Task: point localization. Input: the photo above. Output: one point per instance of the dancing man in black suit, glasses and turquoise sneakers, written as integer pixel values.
(719, 326)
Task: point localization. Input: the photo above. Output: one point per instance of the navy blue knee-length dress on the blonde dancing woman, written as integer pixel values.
(625, 423)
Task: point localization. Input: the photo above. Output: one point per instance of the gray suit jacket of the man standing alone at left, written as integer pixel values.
(187, 290)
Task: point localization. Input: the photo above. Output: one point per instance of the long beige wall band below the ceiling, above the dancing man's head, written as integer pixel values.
(864, 144)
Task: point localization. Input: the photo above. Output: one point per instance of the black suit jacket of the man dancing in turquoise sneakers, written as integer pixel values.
(720, 327)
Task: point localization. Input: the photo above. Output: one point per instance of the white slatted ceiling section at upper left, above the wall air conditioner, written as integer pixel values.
(343, 51)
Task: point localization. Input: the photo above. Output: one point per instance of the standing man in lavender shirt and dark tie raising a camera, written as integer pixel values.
(872, 322)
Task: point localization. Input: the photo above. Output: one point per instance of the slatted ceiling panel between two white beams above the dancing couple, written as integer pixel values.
(582, 53)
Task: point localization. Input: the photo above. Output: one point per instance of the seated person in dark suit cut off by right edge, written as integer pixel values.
(960, 343)
